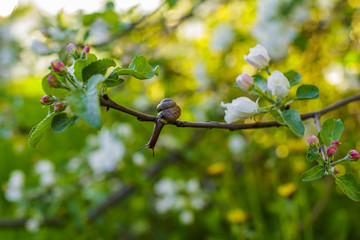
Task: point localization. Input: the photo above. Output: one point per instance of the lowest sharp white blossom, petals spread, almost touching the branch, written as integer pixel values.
(239, 108)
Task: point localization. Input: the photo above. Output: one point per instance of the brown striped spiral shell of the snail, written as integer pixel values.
(168, 110)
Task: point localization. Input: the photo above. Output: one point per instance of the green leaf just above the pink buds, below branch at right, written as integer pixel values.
(330, 131)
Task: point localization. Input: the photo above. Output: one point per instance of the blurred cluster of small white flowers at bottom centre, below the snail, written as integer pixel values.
(179, 196)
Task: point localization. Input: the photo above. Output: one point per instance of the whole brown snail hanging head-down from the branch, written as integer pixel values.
(168, 112)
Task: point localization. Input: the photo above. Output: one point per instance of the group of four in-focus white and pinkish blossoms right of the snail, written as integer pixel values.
(277, 83)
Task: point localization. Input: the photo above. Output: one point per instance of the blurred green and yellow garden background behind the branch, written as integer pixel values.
(201, 184)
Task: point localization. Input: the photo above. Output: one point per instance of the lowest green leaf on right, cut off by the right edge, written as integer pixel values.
(349, 185)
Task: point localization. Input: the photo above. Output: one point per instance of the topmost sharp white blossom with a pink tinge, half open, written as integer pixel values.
(258, 57)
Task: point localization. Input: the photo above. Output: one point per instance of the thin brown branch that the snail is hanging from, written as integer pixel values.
(105, 101)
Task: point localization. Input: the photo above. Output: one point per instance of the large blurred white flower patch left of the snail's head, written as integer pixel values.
(109, 153)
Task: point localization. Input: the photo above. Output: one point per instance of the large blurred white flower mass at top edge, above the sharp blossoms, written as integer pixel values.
(275, 29)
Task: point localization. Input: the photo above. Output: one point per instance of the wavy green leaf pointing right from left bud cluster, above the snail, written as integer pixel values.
(139, 68)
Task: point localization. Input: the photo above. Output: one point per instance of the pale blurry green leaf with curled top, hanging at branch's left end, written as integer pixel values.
(86, 104)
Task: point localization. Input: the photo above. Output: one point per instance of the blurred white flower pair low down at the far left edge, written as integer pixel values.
(13, 189)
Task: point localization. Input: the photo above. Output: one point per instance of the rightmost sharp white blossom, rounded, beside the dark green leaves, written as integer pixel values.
(278, 84)
